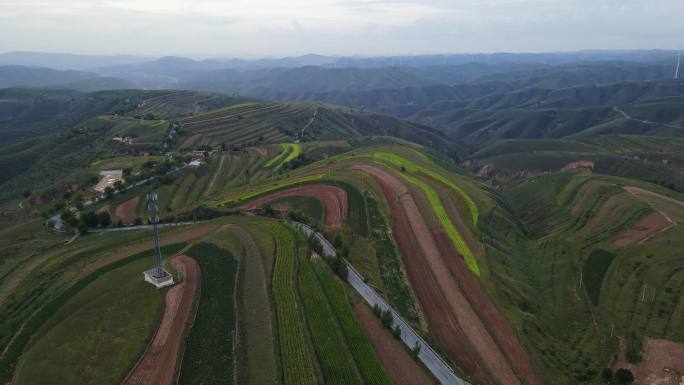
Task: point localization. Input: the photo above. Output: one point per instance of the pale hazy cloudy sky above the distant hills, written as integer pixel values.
(248, 28)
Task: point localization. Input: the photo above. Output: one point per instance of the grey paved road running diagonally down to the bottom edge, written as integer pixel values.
(427, 355)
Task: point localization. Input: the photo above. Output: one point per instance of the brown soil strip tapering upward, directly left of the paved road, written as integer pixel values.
(399, 365)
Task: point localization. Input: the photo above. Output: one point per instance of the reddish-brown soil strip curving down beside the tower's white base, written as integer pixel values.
(158, 364)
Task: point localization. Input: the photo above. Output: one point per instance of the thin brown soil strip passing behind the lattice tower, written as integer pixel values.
(193, 232)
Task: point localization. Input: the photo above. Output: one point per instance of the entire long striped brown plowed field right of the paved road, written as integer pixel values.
(459, 312)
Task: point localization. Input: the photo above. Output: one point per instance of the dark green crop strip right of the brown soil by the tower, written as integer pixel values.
(208, 357)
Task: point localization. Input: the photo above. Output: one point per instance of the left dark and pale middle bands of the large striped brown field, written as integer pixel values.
(449, 316)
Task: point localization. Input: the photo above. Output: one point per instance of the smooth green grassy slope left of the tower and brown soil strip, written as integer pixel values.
(115, 316)
